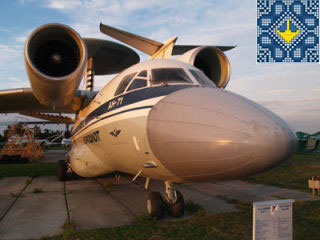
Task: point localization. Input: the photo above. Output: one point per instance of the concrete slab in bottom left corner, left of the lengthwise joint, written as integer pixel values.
(35, 214)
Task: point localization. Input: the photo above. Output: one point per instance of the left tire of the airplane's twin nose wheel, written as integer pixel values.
(155, 205)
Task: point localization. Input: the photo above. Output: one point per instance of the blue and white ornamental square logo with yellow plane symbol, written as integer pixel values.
(287, 31)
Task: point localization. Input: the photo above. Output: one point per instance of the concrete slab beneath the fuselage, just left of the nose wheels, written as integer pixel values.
(90, 206)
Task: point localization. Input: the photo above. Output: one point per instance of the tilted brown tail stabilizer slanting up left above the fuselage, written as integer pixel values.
(143, 44)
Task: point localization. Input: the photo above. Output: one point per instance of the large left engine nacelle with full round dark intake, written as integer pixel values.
(55, 58)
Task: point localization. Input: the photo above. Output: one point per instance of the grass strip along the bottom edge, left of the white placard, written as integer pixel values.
(195, 228)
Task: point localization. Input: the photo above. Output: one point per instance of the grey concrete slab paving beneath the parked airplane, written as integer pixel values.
(106, 202)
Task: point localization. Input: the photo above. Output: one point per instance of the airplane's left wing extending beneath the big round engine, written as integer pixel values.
(24, 102)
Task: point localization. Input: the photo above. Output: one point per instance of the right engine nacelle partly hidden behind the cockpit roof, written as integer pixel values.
(212, 61)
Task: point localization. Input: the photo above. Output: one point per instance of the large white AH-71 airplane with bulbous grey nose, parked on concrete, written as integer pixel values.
(164, 118)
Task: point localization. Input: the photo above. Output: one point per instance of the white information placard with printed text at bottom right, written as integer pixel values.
(272, 220)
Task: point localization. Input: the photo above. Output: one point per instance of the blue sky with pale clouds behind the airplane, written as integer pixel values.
(290, 90)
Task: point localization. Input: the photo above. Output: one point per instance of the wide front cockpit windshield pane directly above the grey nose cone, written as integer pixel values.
(165, 75)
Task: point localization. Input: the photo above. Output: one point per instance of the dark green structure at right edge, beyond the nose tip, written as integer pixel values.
(307, 142)
